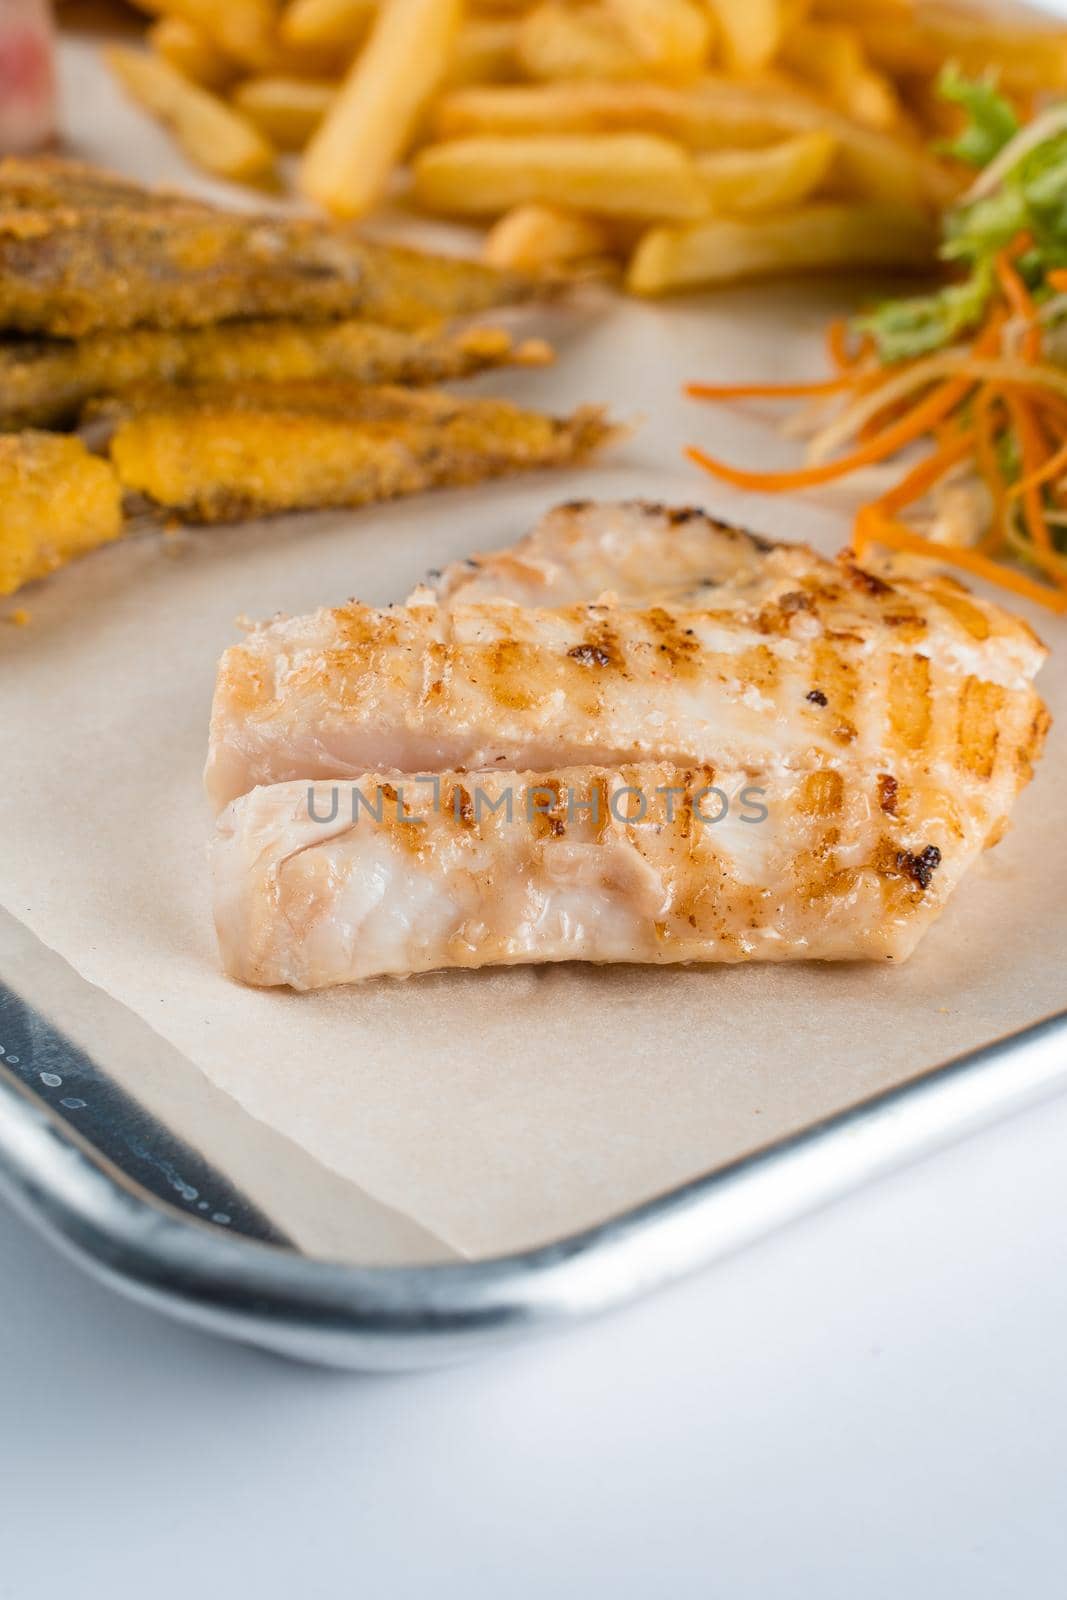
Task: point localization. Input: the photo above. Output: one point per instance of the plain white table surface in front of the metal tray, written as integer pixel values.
(871, 1404)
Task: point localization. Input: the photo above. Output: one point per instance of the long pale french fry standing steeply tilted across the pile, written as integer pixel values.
(370, 124)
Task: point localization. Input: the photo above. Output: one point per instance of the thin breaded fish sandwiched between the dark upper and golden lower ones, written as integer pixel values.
(44, 383)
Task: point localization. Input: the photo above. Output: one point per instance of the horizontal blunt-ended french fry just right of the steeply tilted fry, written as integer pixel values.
(610, 175)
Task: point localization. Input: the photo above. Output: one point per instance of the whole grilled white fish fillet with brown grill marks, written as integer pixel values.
(783, 842)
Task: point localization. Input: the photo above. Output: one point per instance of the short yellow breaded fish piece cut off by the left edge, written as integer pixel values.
(57, 502)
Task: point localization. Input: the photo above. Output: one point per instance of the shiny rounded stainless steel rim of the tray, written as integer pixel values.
(409, 1318)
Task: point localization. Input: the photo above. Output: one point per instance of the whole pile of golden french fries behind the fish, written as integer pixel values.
(677, 142)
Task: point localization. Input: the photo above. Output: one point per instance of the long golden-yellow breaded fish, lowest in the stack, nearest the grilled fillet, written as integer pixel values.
(258, 449)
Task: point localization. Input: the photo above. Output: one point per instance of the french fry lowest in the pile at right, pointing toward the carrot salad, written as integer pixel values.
(829, 236)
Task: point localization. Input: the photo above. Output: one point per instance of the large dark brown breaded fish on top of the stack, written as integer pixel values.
(94, 254)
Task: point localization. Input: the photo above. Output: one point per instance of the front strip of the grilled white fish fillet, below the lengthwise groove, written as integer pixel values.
(644, 863)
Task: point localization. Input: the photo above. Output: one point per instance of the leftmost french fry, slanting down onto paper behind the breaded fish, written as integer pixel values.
(210, 132)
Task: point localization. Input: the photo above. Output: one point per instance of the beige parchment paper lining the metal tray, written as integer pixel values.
(494, 1110)
